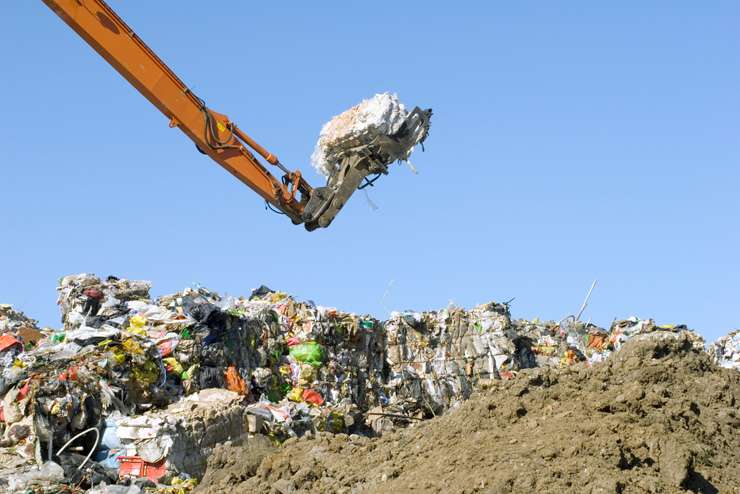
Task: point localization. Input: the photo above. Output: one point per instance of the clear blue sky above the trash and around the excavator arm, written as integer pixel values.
(571, 141)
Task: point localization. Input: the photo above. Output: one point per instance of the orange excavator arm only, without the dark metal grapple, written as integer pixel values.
(213, 133)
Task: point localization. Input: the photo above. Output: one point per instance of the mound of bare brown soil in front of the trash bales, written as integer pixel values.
(656, 417)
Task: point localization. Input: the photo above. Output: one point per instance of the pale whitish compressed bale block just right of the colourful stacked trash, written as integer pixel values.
(436, 358)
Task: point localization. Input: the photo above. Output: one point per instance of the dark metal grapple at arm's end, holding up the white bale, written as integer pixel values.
(363, 159)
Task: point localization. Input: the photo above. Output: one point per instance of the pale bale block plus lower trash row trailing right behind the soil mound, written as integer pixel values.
(437, 359)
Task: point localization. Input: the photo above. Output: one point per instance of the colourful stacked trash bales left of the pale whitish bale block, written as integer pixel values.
(125, 370)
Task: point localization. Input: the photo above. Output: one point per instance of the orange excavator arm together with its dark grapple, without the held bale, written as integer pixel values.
(217, 136)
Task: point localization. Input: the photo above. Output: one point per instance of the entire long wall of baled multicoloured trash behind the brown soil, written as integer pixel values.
(135, 390)
